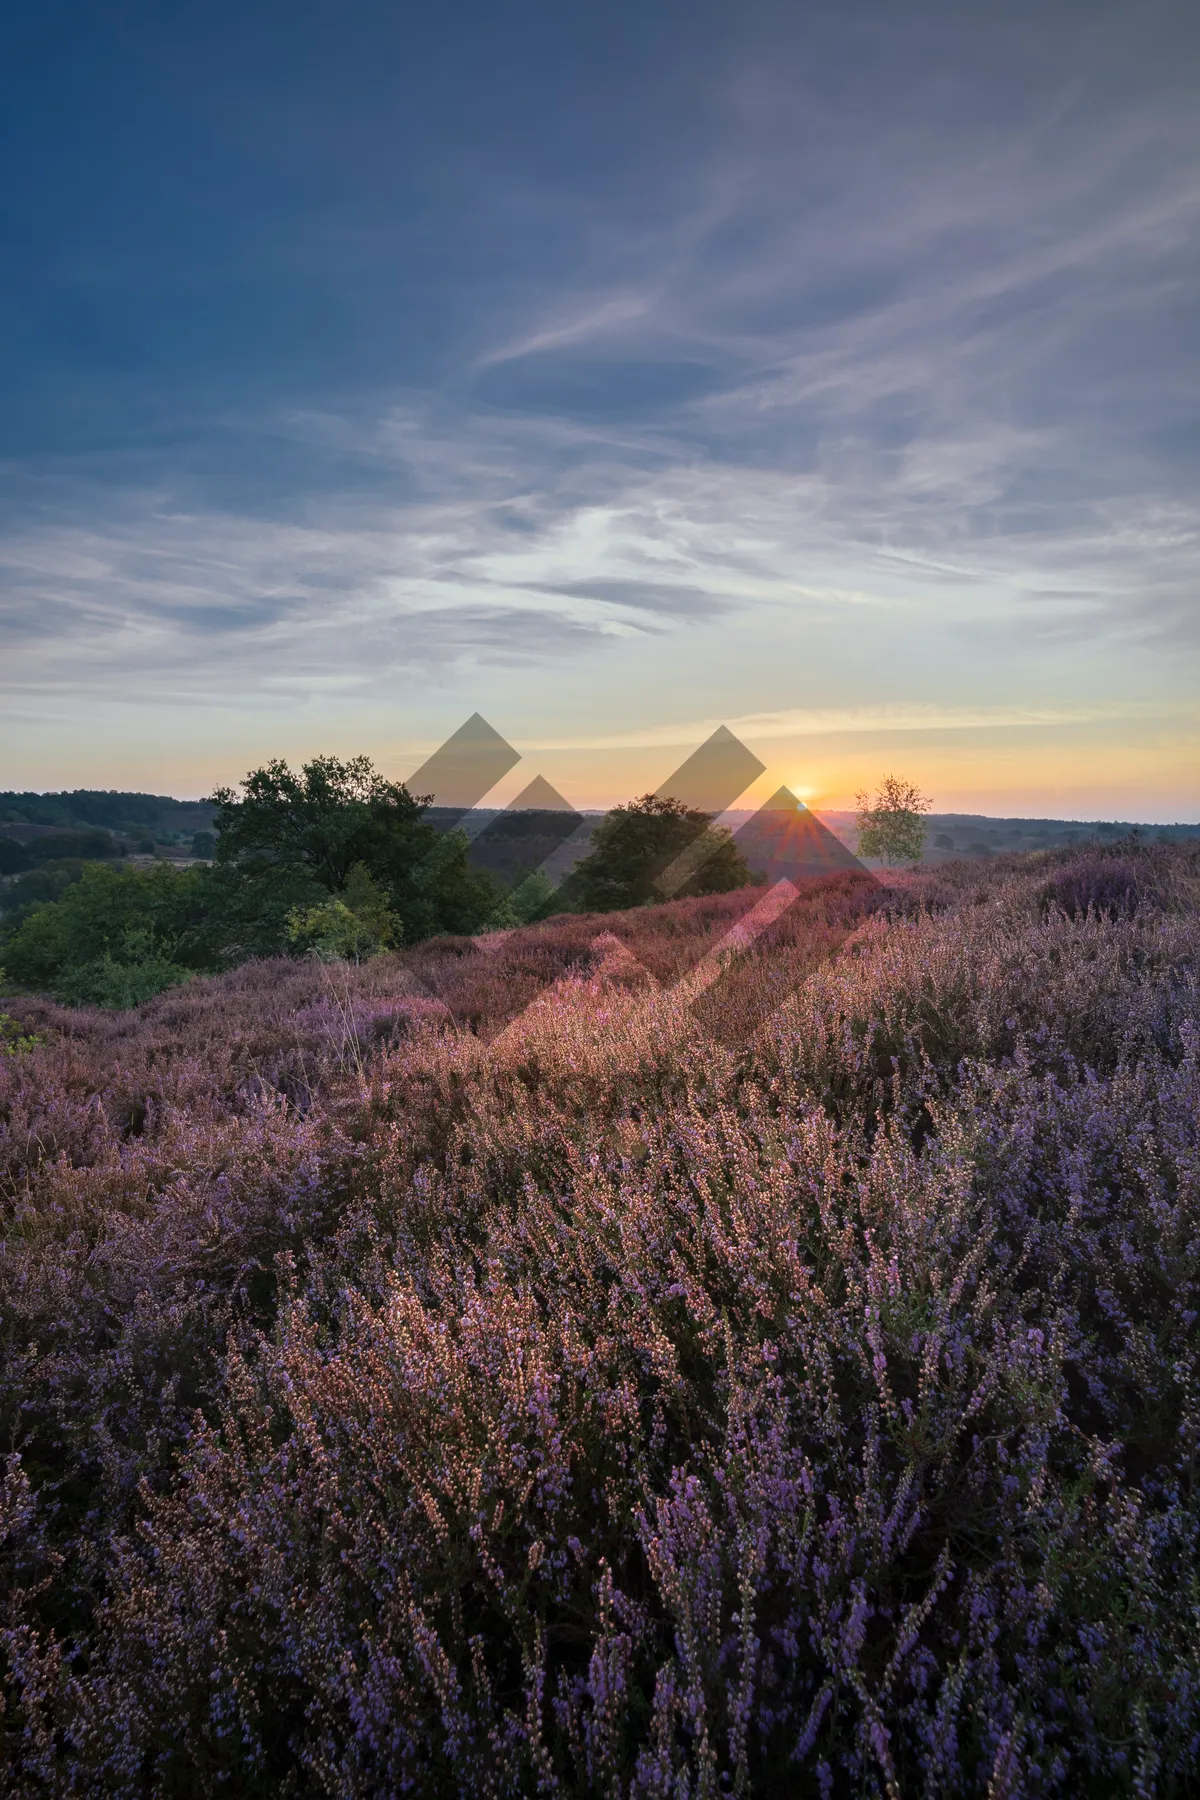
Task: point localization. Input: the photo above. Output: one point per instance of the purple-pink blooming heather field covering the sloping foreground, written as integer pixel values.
(632, 1356)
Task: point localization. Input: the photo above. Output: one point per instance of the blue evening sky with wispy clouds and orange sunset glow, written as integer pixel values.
(616, 370)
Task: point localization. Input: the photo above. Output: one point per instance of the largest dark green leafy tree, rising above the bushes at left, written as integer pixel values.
(316, 825)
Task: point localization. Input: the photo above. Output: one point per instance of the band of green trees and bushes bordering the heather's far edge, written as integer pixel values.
(332, 861)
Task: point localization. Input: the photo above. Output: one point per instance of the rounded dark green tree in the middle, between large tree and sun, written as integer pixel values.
(634, 849)
